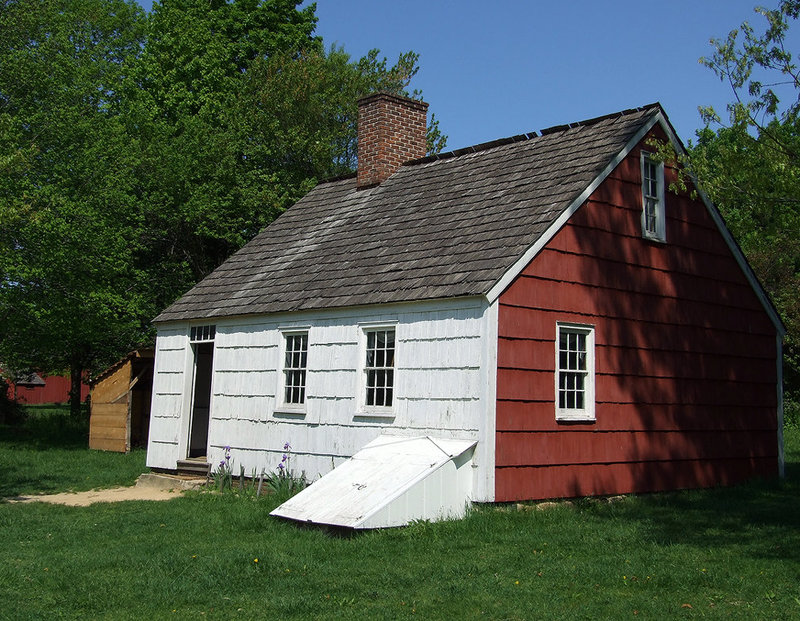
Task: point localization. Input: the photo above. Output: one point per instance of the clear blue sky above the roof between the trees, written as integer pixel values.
(495, 70)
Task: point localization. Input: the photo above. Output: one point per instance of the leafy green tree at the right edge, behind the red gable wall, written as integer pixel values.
(749, 164)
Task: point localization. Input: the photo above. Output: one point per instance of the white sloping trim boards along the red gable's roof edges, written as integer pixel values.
(551, 231)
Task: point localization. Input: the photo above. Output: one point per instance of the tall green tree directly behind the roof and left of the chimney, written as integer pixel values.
(247, 111)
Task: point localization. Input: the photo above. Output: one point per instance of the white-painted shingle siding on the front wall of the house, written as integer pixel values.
(440, 384)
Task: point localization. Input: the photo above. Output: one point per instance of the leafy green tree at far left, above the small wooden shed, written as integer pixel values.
(70, 296)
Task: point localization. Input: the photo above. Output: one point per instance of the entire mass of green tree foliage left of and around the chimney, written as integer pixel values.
(138, 151)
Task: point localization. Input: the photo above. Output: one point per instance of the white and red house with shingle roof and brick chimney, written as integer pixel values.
(544, 297)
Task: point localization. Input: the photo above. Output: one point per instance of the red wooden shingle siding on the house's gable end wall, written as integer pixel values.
(685, 356)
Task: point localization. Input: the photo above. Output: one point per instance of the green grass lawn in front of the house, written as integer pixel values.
(722, 553)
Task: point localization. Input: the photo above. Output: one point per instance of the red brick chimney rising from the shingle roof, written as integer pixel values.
(391, 130)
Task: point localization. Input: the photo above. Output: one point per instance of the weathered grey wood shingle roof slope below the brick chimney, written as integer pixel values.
(441, 227)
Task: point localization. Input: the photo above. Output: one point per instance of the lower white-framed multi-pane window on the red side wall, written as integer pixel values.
(575, 372)
